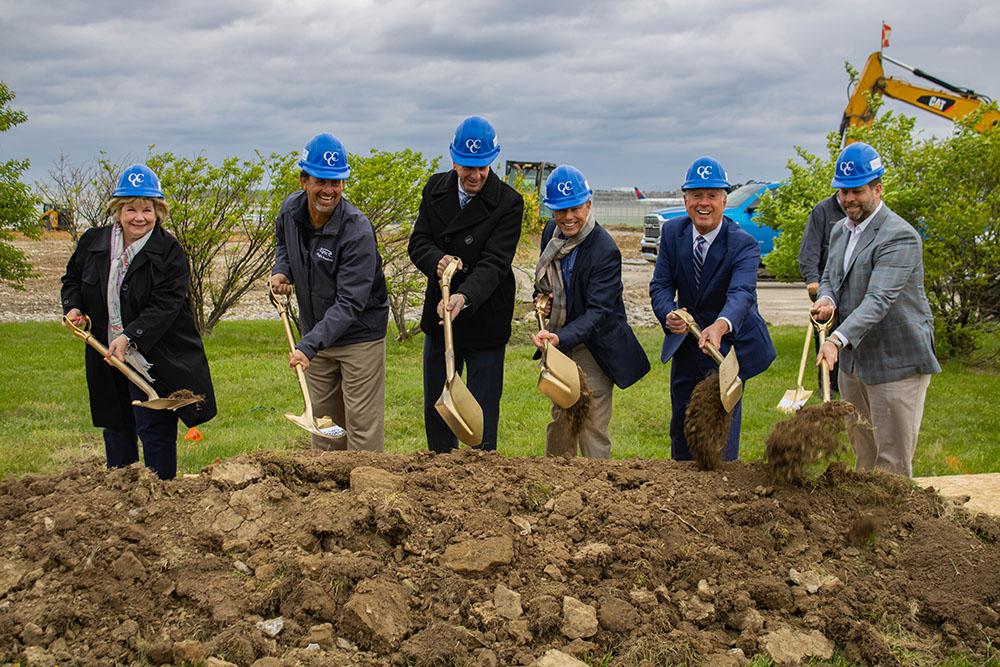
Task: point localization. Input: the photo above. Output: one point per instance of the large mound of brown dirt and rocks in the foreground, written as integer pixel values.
(475, 559)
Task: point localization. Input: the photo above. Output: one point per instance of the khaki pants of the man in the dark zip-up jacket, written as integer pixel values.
(347, 383)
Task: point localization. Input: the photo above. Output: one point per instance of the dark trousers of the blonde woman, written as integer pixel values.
(156, 428)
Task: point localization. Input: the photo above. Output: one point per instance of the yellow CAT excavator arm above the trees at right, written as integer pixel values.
(954, 105)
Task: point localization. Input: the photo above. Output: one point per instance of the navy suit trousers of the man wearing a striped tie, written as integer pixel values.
(688, 367)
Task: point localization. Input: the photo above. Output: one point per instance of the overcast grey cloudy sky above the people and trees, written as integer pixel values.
(630, 92)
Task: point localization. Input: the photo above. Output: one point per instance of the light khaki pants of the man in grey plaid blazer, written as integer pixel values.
(895, 410)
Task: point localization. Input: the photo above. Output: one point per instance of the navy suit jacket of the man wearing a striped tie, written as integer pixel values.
(728, 289)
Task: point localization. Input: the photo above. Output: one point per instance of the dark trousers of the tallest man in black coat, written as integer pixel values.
(484, 379)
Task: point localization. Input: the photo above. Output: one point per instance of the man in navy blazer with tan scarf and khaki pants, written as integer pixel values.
(580, 267)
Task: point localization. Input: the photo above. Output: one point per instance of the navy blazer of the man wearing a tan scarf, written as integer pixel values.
(595, 308)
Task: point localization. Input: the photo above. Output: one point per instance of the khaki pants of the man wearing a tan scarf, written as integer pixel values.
(593, 441)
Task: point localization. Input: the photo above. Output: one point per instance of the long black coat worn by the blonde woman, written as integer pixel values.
(157, 317)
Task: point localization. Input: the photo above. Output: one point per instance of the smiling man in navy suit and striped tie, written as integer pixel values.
(707, 265)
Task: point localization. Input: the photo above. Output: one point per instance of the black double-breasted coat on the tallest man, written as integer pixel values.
(484, 235)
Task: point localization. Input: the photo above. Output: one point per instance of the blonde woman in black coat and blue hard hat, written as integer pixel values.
(130, 278)
